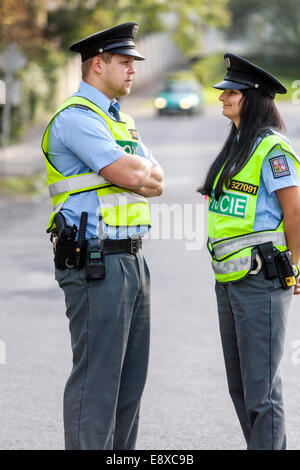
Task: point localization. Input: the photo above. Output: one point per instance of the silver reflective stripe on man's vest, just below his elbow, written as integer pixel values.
(76, 183)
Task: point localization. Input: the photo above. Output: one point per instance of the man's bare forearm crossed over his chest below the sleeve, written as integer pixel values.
(135, 173)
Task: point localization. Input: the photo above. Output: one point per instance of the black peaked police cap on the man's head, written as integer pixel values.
(117, 40)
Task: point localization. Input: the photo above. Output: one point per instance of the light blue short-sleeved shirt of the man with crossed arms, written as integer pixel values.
(79, 142)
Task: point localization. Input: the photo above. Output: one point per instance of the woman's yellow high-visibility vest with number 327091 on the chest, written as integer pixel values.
(231, 237)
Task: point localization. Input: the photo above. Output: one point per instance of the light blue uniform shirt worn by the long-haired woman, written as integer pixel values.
(268, 210)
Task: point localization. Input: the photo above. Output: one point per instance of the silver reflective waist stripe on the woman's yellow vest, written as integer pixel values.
(232, 245)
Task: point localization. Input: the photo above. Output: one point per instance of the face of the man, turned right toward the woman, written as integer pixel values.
(117, 75)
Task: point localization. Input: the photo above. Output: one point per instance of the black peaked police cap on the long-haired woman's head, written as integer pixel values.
(242, 74)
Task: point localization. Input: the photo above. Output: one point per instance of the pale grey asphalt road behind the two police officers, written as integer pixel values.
(185, 404)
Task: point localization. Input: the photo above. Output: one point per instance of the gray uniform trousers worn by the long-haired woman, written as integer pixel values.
(252, 319)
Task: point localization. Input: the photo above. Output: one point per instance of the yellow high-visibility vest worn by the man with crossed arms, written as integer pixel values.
(119, 206)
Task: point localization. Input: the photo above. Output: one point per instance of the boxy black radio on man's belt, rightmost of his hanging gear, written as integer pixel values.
(95, 261)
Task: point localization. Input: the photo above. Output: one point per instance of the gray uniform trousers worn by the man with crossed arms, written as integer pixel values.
(109, 322)
